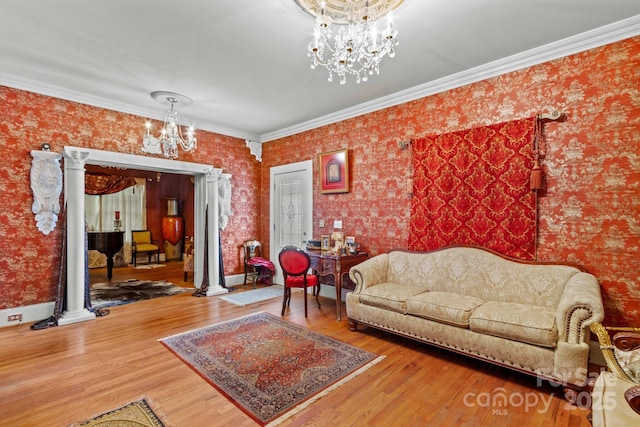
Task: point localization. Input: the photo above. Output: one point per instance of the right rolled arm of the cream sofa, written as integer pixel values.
(580, 306)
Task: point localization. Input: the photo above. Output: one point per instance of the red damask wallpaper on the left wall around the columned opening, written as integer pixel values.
(30, 260)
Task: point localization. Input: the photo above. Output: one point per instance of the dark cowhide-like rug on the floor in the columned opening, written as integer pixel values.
(105, 295)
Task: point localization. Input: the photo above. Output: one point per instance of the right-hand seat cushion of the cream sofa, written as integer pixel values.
(527, 323)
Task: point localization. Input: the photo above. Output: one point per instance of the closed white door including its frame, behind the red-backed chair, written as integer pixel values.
(291, 208)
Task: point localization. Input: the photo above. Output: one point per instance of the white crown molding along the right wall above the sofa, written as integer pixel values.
(601, 36)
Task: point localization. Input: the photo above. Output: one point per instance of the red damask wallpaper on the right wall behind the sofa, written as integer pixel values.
(589, 210)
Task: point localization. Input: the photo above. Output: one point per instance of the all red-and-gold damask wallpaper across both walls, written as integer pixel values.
(589, 211)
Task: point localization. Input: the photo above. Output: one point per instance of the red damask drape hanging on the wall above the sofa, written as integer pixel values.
(472, 187)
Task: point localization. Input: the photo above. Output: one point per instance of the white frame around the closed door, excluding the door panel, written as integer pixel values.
(306, 165)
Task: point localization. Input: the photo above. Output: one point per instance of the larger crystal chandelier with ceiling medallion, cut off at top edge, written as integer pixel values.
(357, 46)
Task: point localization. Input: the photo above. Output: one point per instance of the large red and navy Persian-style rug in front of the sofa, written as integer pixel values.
(267, 366)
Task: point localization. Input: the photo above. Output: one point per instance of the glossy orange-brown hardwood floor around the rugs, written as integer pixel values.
(67, 374)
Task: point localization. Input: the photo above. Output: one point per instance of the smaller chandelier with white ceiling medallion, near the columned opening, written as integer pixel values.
(171, 133)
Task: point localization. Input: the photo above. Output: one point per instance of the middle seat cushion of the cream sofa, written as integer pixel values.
(446, 307)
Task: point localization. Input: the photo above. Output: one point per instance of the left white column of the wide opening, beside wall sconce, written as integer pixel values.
(75, 312)
